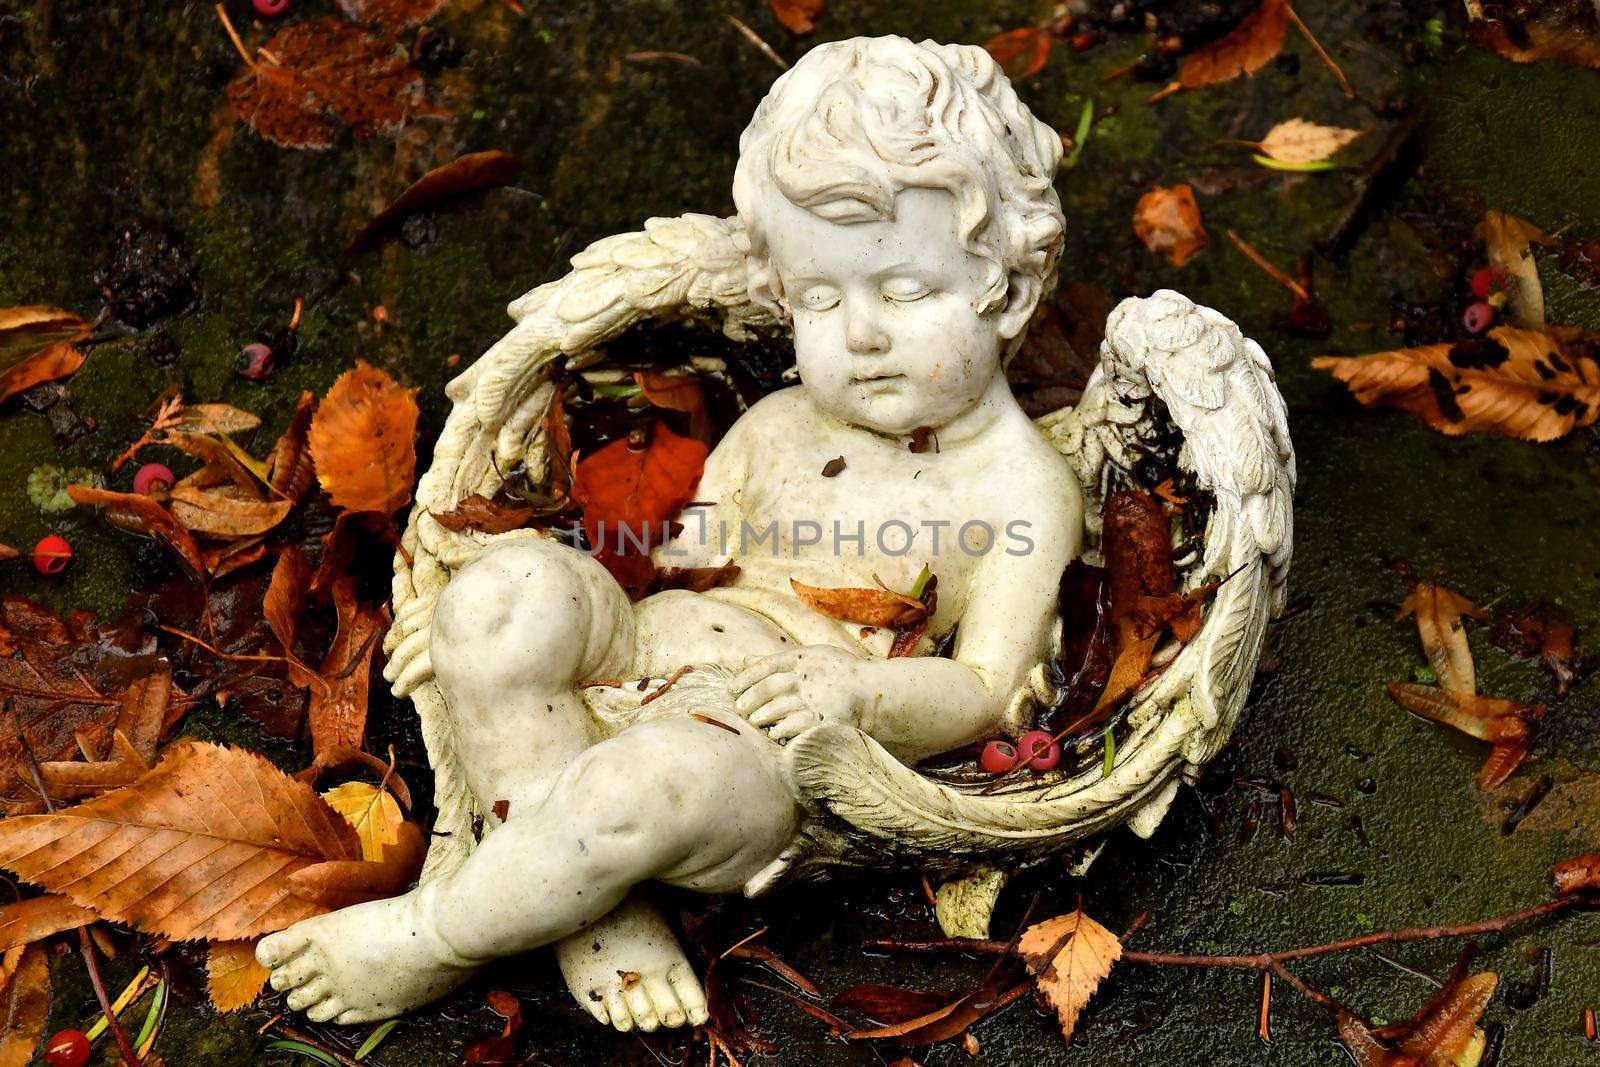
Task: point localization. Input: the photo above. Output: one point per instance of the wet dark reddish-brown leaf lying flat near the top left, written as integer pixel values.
(329, 76)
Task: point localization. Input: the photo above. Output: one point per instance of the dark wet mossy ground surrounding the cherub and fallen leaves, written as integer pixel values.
(114, 116)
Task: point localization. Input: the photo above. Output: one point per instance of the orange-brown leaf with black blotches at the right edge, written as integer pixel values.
(1530, 385)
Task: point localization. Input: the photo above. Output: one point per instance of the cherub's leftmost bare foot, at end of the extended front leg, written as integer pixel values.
(362, 964)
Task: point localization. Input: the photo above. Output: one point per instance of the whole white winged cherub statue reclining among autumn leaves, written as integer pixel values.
(897, 209)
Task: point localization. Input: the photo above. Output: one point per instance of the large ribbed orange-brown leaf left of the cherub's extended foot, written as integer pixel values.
(207, 845)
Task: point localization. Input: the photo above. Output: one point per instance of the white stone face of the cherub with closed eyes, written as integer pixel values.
(887, 337)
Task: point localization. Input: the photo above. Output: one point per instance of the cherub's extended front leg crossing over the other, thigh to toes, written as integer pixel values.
(638, 807)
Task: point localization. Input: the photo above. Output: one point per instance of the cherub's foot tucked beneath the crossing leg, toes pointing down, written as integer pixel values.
(628, 970)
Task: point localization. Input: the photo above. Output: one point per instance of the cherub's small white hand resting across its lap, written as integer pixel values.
(794, 692)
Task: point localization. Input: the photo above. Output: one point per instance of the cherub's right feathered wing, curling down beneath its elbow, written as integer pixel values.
(1167, 364)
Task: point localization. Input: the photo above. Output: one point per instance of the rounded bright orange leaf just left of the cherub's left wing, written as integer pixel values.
(362, 442)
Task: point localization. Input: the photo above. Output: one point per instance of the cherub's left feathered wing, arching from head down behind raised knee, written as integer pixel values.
(674, 270)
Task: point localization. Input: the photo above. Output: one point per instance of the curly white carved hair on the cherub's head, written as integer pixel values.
(855, 122)
